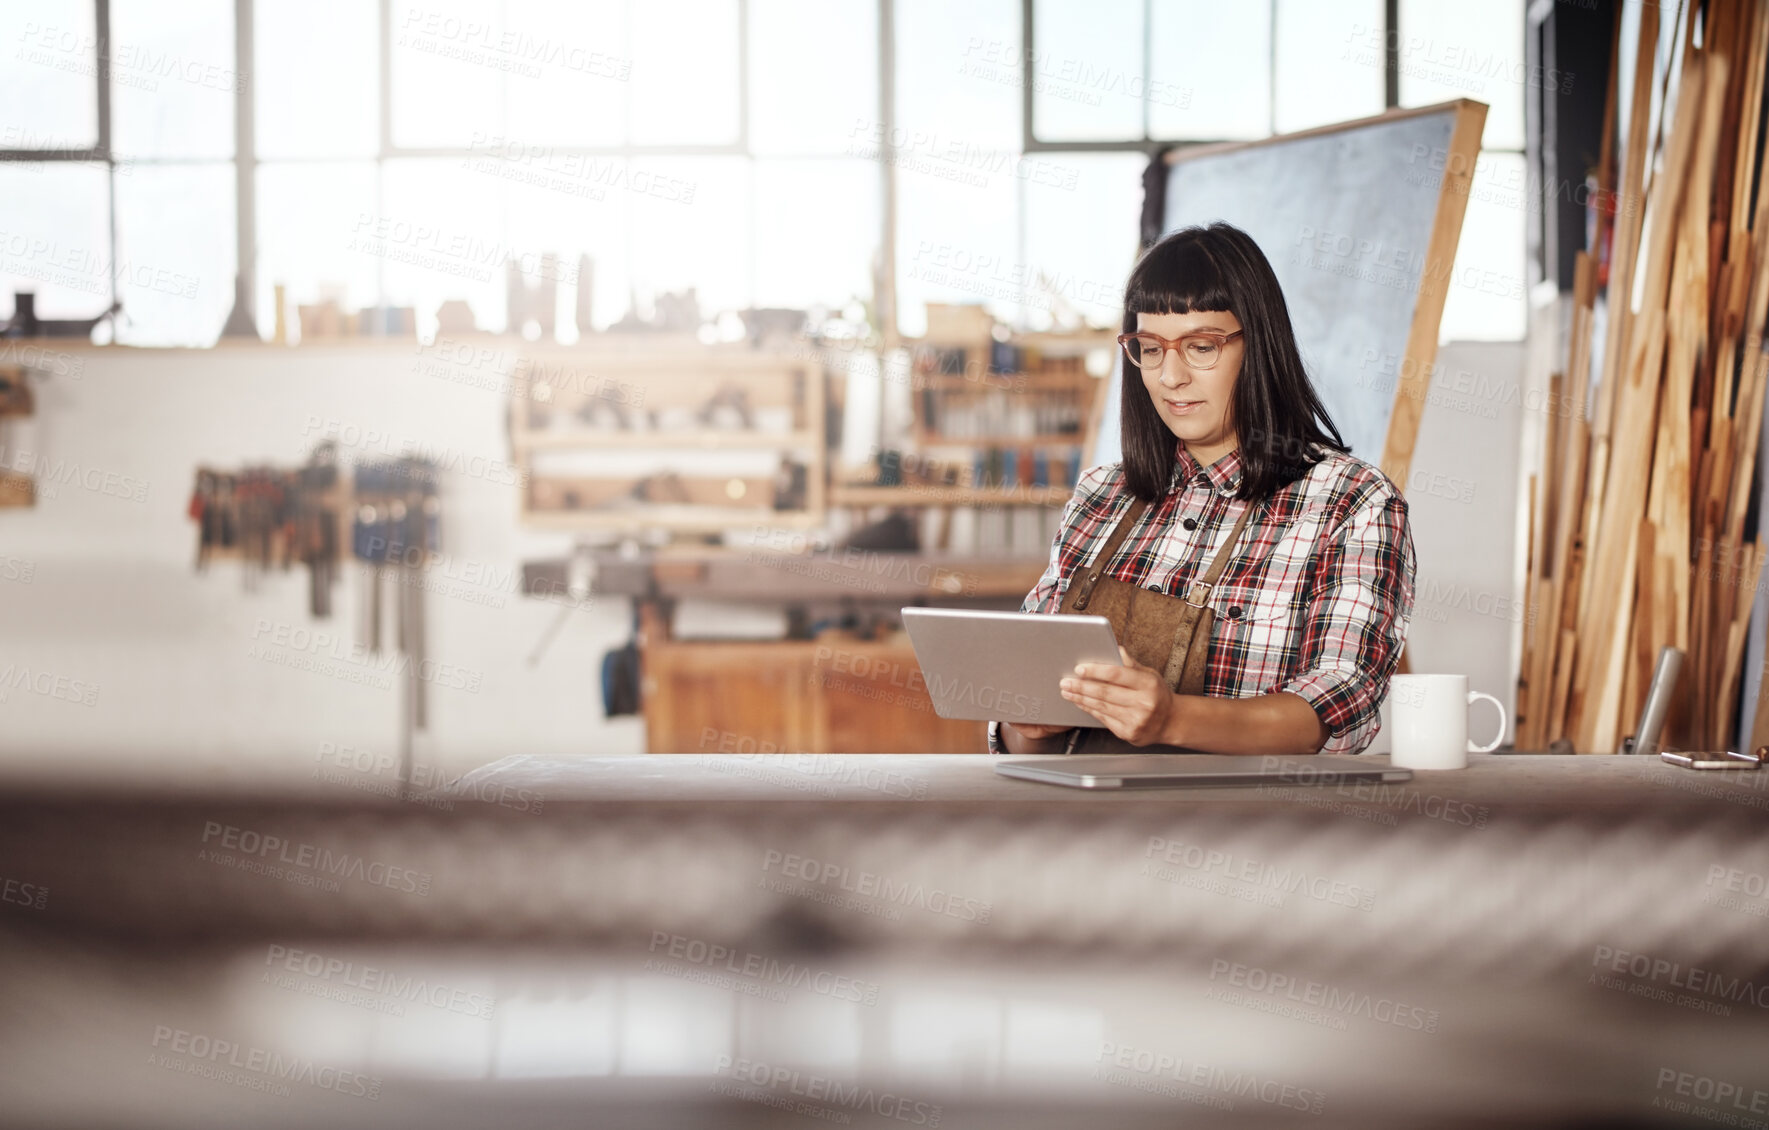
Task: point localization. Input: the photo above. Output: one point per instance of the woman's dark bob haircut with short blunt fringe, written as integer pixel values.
(1276, 413)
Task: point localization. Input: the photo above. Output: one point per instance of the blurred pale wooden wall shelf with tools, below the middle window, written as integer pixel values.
(682, 438)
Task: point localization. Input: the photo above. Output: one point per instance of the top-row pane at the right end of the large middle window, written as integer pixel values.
(813, 75)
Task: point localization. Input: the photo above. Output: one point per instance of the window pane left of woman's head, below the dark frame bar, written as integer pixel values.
(1082, 243)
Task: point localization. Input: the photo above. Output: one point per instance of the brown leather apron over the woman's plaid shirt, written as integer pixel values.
(1165, 632)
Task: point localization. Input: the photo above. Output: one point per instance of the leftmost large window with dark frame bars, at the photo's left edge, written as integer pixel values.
(121, 190)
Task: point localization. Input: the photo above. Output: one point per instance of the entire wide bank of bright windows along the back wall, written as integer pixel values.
(406, 153)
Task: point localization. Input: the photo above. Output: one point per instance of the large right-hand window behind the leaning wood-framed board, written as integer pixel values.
(1140, 75)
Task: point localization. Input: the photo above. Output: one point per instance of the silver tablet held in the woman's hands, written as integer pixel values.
(1006, 666)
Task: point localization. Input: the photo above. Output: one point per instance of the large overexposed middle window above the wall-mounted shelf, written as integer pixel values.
(615, 151)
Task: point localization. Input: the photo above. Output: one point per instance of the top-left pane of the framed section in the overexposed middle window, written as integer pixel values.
(448, 59)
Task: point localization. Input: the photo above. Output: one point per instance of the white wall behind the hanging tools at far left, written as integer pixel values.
(112, 599)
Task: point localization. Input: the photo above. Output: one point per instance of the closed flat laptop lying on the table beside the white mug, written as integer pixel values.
(1200, 772)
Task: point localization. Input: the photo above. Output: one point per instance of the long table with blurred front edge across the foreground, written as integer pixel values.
(1494, 947)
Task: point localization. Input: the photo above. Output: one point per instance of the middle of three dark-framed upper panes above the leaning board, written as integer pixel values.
(1218, 61)
